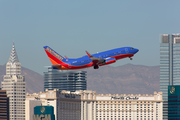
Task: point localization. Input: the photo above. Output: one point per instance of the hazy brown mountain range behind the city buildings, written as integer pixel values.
(126, 79)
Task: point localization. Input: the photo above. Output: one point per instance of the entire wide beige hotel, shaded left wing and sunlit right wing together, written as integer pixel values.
(86, 105)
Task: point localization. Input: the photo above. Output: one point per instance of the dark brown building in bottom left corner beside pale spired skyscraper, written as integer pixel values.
(4, 105)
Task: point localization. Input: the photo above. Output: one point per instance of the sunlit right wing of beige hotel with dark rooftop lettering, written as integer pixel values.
(121, 107)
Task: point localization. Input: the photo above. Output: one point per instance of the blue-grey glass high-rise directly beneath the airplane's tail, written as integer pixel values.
(70, 81)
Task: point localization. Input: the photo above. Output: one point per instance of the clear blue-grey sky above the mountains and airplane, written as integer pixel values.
(71, 27)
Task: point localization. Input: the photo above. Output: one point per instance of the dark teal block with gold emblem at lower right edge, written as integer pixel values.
(173, 102)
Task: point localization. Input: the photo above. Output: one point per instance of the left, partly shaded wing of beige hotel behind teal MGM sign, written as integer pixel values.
(67, 105)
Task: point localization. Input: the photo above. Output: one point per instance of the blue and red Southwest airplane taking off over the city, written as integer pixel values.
(94, 60)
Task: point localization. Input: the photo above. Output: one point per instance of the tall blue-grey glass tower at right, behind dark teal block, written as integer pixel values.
(169, 66)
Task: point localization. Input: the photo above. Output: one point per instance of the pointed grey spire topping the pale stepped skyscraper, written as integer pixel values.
(13, 58)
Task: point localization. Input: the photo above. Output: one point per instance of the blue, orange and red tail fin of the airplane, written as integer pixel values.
(54, 57)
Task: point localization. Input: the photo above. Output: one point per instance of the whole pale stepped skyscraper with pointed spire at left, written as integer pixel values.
(14, 84)
